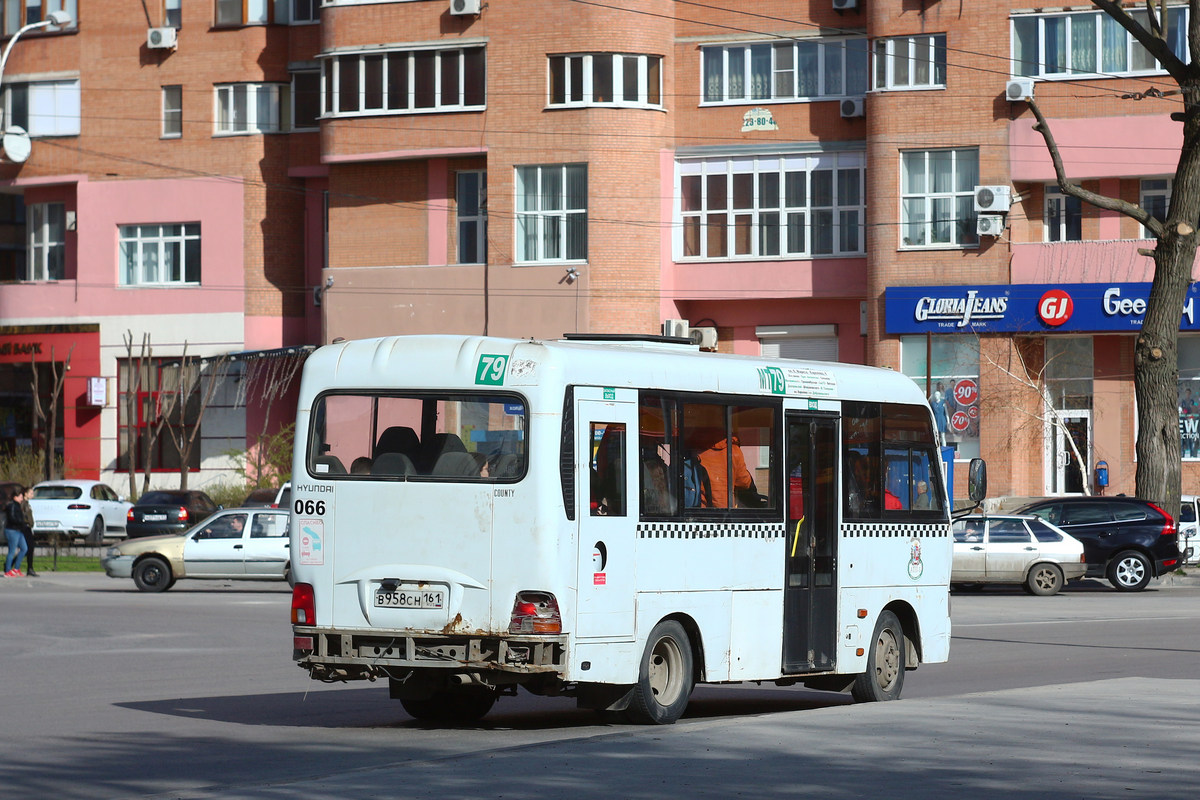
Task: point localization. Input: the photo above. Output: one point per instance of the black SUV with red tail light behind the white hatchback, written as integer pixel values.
(1126, 540)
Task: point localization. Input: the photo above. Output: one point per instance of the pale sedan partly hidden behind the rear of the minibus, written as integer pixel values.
(233, 544)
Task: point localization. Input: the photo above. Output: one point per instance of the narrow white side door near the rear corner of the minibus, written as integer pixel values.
(607, 454)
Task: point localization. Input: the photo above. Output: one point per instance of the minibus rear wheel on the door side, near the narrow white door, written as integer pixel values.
(665, 677)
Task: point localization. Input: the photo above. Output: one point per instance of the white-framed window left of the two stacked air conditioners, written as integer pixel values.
(938, 197)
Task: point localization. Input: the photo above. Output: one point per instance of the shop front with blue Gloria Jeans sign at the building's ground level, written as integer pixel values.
(1051, 365)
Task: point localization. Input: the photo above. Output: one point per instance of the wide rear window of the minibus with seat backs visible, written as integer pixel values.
(418, 437)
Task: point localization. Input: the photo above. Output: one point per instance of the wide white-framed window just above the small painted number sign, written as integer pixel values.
(797, 70)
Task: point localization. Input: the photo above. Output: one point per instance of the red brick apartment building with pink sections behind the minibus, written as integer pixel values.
(843, 179)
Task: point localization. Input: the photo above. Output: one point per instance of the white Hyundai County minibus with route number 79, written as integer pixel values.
(614, 519)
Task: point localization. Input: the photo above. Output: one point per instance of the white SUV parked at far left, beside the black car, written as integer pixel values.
(77, 510)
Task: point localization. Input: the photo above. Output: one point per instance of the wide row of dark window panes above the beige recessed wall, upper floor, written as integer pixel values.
(401, 82)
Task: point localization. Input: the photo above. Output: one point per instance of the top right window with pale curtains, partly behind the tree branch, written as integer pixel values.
(1093, 44)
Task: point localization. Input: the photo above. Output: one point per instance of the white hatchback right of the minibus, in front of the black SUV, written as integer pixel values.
(1012, 549)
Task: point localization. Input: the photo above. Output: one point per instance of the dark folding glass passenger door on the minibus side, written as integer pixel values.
(811, 592)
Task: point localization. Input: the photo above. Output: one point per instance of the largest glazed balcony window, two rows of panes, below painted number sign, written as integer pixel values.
(772, 207)
